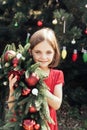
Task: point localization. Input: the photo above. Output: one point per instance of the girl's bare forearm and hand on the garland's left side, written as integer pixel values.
(12, 81)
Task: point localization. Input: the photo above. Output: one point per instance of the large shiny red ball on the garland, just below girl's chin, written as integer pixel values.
(32, 80)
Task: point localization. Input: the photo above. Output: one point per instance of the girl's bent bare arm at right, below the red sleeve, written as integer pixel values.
(55, 100)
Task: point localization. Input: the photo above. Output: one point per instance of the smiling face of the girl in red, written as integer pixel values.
(43, 53)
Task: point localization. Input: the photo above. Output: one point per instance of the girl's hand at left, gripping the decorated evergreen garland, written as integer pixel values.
(12, 81)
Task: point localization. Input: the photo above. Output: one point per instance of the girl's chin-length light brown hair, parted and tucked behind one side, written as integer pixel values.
(47, 34)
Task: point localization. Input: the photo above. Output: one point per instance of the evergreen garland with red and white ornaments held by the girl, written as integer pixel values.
(30, 110)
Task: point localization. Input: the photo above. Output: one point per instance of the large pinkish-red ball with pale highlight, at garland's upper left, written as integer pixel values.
(9, 55)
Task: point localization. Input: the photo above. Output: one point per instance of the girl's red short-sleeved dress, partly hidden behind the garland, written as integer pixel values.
(55, 77)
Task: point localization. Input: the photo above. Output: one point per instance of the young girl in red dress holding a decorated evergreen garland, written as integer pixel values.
(45, 50)
